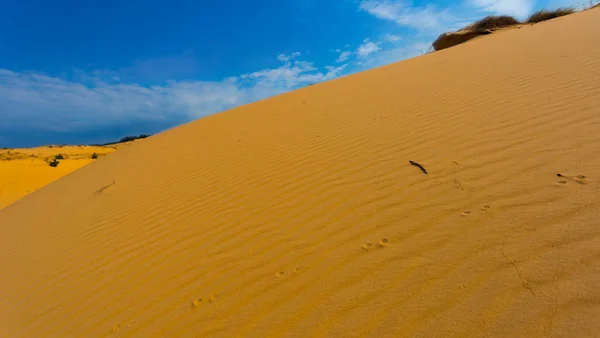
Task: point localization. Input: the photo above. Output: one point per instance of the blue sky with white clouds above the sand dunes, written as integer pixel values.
(77, 72)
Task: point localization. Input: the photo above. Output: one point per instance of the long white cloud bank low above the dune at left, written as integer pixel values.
(33, 101)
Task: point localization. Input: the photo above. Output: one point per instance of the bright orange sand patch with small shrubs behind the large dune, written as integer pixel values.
(22, 171)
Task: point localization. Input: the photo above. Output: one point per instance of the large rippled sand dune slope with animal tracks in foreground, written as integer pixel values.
(300, 216)
